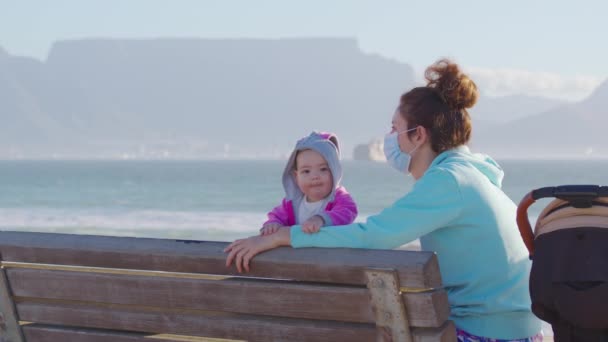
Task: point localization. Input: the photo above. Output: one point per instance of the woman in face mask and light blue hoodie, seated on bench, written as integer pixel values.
(456, 208)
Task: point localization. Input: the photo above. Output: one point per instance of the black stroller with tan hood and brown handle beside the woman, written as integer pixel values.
(569, 253)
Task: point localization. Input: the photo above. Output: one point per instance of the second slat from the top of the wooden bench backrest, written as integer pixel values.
(424, 309)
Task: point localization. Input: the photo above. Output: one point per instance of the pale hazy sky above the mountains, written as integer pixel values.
(550, 48)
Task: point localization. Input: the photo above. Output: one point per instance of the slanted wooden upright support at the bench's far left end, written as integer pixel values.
(9, 322)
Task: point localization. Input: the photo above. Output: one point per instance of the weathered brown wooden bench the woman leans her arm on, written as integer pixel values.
(61, 287)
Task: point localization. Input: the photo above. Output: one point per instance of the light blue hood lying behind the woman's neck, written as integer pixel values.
(483, 163)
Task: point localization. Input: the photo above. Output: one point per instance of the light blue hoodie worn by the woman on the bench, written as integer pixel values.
(458, 210)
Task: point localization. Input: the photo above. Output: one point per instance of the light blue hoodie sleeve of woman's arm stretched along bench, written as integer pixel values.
(434, 201)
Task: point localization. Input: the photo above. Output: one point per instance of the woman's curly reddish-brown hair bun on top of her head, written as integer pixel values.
(456, 89)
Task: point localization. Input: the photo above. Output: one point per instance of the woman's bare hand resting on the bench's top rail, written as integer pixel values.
(242, 251)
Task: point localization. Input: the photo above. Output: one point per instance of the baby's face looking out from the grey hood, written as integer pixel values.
(313, 175)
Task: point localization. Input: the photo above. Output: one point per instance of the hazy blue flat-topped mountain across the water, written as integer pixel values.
(245, 94)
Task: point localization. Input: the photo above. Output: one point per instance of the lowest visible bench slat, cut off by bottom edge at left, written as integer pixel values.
(45, 333)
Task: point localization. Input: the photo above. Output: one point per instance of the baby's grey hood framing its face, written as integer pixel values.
(326, 144)
